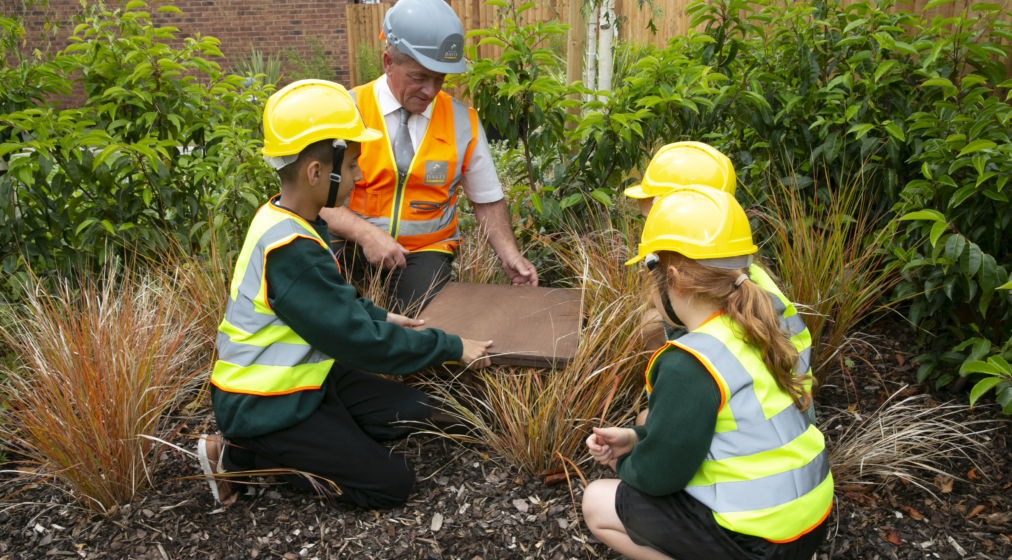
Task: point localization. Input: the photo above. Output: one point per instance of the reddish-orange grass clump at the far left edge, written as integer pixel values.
(99, 365)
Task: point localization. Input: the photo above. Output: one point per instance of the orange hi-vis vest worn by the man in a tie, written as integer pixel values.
(420, 210)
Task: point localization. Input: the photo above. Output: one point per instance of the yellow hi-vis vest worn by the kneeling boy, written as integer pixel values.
(258, 353)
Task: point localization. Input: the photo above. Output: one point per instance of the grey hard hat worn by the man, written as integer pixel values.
(429, 32)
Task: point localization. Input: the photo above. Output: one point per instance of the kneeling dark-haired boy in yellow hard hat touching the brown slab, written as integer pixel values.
(293, 388)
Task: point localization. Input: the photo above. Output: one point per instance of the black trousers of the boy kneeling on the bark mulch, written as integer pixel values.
(341, 442)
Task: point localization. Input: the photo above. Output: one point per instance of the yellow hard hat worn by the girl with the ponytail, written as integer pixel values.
(704, 224)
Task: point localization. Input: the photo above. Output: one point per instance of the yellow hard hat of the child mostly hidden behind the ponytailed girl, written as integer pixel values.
(685, 164)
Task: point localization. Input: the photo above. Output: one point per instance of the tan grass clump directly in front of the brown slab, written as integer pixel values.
(535, 419)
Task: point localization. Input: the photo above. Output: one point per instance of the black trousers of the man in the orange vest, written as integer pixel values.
(410, 289)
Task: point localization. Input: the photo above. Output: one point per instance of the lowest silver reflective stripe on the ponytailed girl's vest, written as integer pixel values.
(762, 494)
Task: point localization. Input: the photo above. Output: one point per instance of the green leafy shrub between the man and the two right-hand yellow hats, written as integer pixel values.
(571, 153)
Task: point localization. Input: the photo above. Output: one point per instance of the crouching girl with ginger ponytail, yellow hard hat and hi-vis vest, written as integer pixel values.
(727, 464)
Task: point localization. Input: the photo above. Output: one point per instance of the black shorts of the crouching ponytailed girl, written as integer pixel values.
(678, 525)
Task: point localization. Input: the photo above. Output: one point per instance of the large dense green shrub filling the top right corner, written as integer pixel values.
(815, 93)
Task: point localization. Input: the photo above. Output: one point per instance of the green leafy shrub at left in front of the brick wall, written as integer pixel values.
(164, 149)
